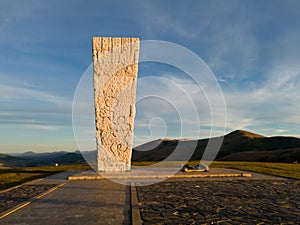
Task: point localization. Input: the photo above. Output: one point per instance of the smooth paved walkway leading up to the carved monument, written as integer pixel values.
(77, 202)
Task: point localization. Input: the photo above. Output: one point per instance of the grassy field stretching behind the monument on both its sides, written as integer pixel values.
(13, 177)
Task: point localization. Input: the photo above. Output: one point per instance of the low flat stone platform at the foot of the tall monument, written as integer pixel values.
(159, 173)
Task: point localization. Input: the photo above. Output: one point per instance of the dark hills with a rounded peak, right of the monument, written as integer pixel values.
(238, 145)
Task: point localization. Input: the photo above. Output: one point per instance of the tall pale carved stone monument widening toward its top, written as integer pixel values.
(115, 74)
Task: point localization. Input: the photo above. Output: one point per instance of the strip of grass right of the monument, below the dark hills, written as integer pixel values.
(287, 170)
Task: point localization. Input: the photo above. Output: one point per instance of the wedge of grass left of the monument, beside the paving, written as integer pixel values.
(13, 177)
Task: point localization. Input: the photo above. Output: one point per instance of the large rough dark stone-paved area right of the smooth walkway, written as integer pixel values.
(221, 202)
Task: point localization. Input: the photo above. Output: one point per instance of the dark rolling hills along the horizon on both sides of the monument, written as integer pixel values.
(238, 145)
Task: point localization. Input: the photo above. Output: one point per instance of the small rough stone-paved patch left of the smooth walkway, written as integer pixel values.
(21, 194)
